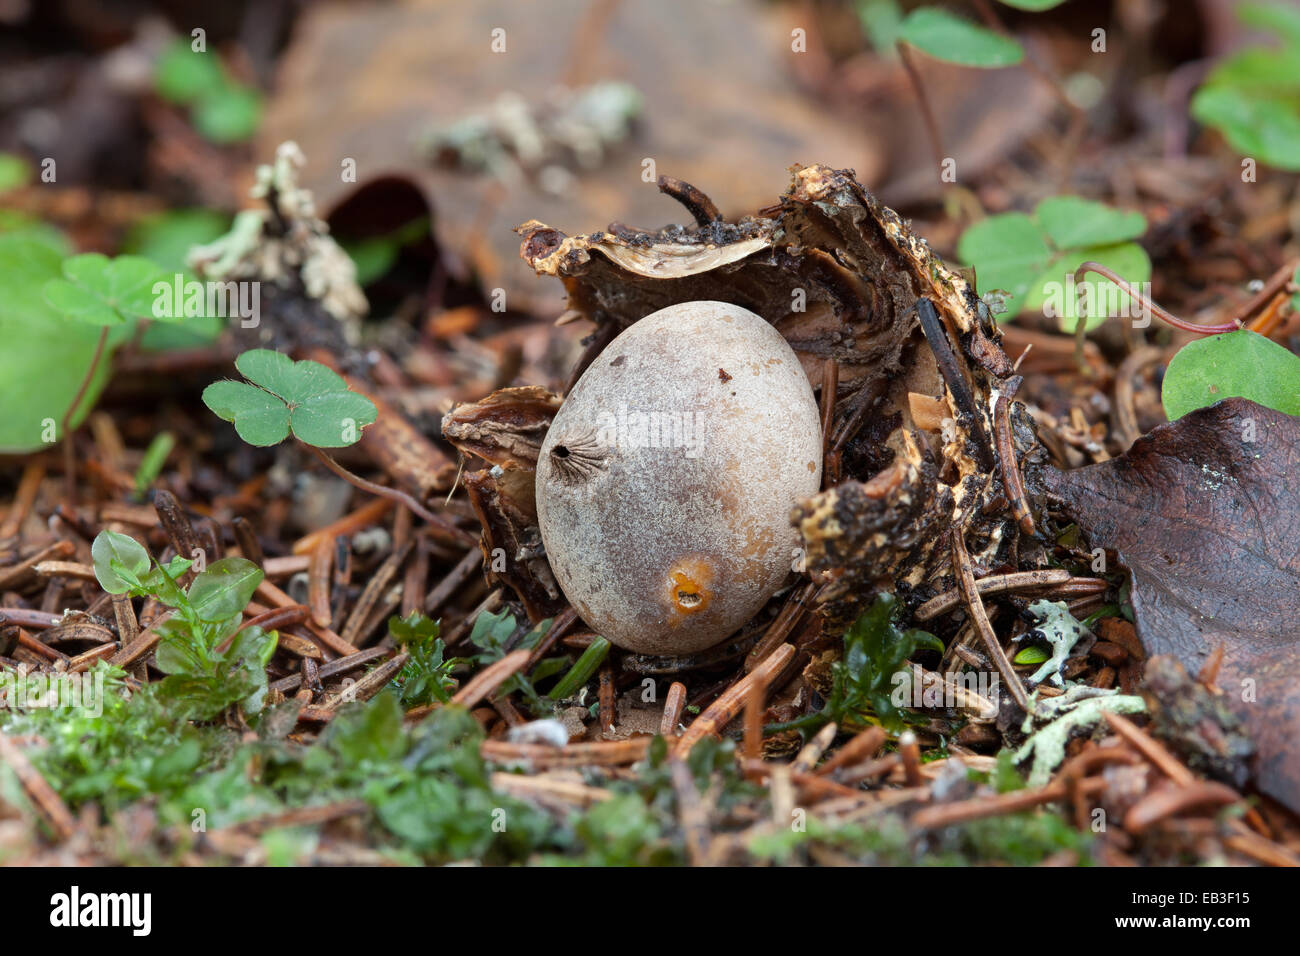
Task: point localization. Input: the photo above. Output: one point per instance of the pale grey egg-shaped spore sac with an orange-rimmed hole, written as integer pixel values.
(666, 482)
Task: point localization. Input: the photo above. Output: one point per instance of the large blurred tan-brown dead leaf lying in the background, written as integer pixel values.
(363, 81)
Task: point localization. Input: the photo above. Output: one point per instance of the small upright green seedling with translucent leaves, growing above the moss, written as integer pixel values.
(211, 661)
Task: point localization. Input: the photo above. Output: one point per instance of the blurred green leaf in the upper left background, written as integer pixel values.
(222, 109)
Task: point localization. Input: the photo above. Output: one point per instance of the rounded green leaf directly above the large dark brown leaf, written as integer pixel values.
(1243, 365)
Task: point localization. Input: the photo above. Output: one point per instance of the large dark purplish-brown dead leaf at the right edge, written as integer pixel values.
(1206, 513)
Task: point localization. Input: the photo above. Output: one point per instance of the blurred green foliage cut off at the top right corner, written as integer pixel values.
(1254, 97)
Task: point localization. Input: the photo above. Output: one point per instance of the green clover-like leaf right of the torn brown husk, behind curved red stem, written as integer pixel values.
(1032, 258)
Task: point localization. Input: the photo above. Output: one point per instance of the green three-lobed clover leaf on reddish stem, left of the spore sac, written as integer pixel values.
(305, 397)
